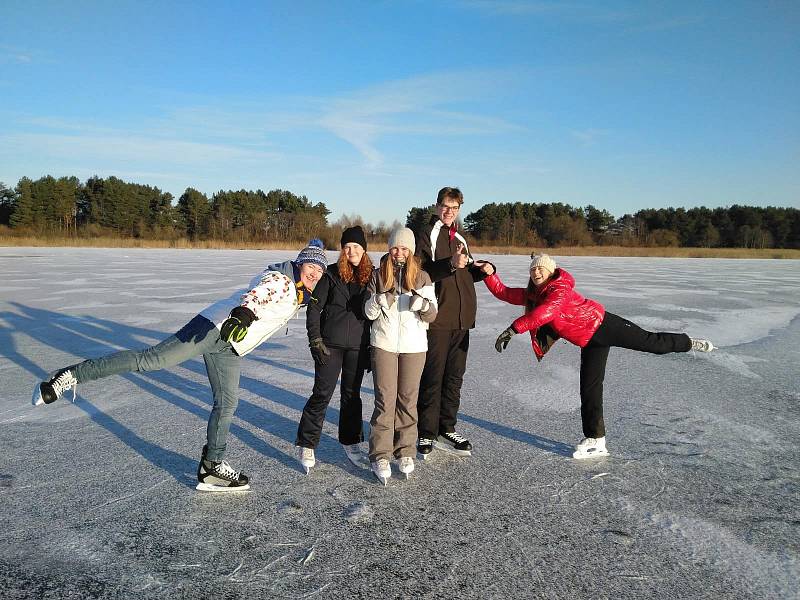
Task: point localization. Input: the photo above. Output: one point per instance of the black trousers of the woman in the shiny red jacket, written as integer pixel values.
(616, 331)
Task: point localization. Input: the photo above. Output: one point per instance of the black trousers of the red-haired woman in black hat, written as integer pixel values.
(350, 363)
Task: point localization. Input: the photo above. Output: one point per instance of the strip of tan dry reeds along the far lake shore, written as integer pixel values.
(665, 252)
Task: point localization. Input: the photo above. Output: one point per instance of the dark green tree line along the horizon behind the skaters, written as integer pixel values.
(64, 206)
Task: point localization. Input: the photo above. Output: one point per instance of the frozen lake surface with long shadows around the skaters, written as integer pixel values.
(699, 498)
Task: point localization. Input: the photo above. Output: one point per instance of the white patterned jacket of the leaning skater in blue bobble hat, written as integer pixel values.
(272, 296)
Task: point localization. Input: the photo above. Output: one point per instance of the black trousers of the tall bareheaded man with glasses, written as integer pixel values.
(440, 387)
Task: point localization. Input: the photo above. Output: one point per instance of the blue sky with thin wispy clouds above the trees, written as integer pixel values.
(371, 107)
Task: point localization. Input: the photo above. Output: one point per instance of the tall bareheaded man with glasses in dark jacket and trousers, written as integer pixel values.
(445, 256)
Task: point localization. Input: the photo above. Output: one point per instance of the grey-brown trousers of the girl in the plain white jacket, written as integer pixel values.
(393, 427)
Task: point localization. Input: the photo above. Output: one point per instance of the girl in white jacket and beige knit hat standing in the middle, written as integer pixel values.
(400, 304)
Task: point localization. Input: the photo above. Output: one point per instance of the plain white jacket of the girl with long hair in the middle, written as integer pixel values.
(399, 329)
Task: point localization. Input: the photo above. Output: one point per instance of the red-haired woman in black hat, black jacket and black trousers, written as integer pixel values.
(338, 335)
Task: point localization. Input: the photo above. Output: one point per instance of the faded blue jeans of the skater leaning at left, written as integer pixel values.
(198, 336)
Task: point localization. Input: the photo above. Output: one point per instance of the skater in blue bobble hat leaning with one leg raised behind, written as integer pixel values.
(222, 333)
